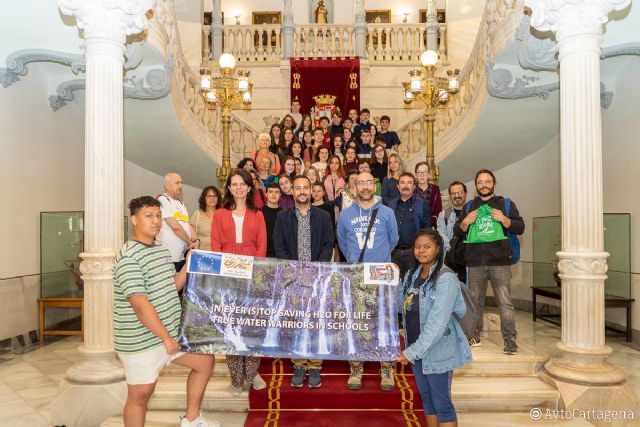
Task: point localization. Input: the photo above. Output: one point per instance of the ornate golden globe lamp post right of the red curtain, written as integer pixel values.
(433, 91)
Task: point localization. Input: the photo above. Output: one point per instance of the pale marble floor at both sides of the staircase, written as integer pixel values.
(28, 379)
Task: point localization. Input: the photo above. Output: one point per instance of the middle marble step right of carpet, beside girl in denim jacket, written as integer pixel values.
(502, 395)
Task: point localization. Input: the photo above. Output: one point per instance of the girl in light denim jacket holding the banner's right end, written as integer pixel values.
(435, 343)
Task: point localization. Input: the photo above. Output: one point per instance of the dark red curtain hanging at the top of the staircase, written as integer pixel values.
(337, 77)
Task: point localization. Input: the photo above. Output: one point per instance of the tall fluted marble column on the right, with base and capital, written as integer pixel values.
(583, 375)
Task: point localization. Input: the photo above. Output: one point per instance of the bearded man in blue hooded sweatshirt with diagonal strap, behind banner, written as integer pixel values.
(352, 231)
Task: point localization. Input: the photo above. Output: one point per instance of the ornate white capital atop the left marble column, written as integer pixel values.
(110, 19)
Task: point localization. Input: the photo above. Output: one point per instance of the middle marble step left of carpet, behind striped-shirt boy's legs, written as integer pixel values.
(171, 395)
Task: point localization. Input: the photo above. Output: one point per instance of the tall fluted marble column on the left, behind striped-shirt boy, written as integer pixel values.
(94, 387)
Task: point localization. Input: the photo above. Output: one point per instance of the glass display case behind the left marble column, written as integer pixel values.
(61, 242)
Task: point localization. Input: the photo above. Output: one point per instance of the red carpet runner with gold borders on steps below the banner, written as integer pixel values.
(332, 405)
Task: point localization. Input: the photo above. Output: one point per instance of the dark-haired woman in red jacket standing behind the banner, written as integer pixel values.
(239, 228)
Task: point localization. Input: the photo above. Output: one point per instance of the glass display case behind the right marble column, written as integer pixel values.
(617, 241)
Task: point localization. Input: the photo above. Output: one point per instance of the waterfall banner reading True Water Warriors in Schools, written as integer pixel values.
(279, 308)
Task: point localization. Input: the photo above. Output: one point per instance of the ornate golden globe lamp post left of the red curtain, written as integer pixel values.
(225, 91)
